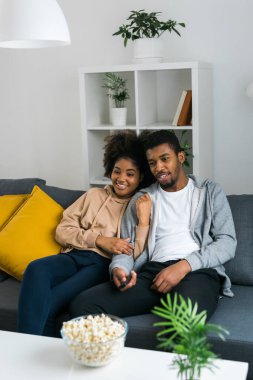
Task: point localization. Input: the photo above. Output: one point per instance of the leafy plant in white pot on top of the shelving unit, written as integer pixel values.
(144, 29)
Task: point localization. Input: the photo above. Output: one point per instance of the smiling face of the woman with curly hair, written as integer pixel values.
(125, 177)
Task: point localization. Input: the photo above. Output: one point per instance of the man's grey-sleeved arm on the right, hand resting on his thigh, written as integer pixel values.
(220, 249)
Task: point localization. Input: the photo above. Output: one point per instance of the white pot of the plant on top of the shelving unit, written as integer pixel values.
(148, 50)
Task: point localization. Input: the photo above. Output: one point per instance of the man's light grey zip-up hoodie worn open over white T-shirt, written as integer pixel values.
(211, 225)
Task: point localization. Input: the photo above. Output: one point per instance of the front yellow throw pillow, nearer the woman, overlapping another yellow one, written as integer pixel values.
(29, 233)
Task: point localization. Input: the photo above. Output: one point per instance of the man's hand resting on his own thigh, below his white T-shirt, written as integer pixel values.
(169, 277)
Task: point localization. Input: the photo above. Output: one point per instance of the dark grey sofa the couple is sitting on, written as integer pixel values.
(235, 314)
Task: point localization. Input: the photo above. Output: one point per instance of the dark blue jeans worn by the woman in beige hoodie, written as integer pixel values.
(50, 283)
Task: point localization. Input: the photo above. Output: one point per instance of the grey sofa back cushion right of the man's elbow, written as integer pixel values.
(240, 269)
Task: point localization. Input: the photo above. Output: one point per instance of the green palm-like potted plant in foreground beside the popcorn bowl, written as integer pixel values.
(185, 333)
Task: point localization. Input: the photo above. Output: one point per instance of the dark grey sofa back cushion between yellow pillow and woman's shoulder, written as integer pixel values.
(64, 197)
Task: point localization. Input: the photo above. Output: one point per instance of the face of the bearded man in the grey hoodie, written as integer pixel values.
(167, 167)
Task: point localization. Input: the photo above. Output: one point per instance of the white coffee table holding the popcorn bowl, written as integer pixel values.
(29, 357)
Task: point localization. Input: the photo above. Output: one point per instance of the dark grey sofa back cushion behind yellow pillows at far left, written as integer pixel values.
(19, 186)
